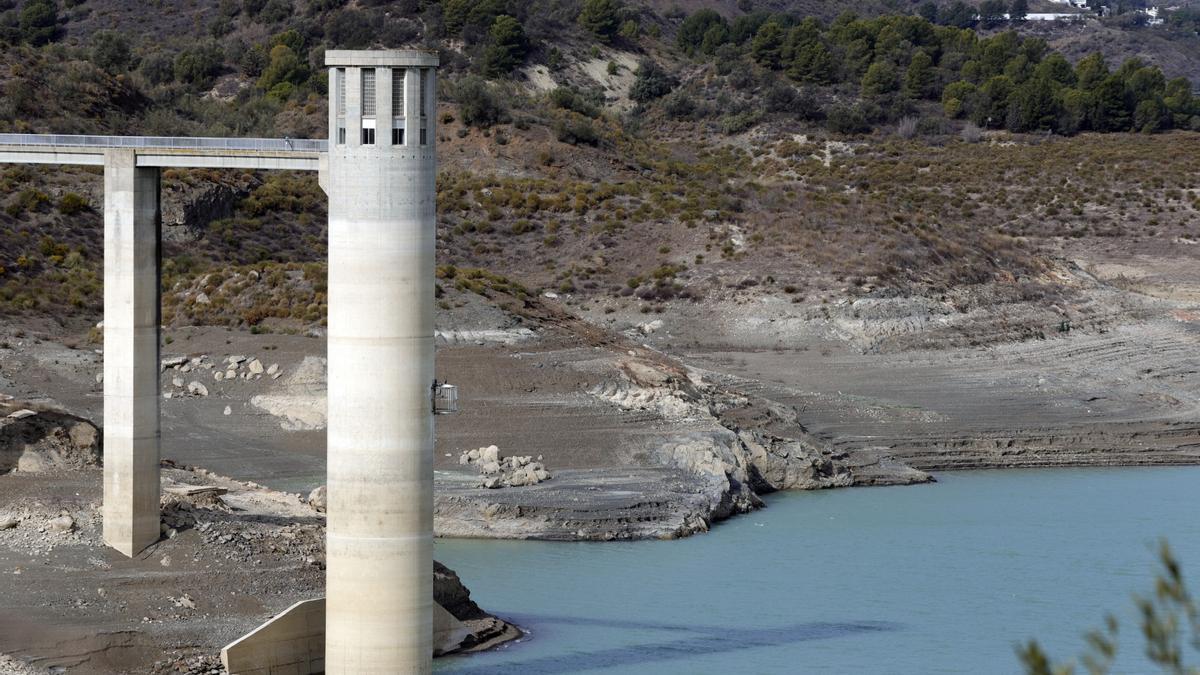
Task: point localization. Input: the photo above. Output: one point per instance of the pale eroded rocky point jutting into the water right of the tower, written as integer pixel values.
(705, 453)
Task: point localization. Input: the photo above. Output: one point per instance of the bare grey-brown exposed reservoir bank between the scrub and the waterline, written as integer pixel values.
(643, 427)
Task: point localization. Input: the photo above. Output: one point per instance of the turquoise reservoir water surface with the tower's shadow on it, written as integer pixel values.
(943, 578)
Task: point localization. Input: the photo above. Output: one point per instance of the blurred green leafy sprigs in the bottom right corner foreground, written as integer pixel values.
(1171, 625)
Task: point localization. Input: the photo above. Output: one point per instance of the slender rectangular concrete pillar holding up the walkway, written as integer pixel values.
(133, 228)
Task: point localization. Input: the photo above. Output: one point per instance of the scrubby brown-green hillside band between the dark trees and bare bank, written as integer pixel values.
(674, 224)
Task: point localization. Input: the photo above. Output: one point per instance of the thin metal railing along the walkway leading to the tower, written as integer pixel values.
(167, 142)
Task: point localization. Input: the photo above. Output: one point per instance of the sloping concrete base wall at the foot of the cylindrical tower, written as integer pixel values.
(293, 643)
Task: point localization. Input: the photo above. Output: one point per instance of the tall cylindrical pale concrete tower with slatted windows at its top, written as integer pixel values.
(382, 230)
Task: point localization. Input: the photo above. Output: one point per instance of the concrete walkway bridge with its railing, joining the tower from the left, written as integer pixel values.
(296, 154)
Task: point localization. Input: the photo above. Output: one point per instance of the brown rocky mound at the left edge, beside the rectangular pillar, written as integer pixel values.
(37, 440)
